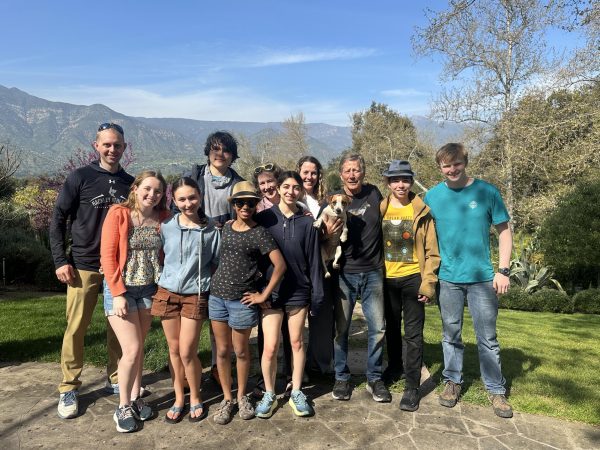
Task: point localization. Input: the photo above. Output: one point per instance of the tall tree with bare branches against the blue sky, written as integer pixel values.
(492, 51)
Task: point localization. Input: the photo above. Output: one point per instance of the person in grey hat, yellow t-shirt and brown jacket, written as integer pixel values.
(411, 263)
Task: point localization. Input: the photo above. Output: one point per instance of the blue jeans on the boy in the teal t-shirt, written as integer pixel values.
(483, 306)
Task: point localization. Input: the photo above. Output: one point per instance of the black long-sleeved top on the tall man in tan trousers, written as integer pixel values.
(83, 202)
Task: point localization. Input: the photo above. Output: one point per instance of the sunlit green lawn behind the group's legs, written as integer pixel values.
(551, 361)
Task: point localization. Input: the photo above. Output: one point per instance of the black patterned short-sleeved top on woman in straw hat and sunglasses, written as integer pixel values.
(238, 270)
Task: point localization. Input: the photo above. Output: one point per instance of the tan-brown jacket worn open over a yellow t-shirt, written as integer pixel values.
(425, 242)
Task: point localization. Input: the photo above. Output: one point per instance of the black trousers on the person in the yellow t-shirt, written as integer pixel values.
(401, 300)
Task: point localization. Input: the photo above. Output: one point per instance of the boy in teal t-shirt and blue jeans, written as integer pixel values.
(464, 209)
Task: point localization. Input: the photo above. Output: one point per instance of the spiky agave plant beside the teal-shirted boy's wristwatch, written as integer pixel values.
(528, 272)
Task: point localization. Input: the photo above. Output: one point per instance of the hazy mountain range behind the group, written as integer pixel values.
(47, 133)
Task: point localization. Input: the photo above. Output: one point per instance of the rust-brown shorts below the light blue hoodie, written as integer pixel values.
(167, 304)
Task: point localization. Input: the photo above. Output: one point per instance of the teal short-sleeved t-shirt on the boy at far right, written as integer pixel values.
(462, 221)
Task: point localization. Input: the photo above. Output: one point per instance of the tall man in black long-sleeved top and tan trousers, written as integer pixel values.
(81, 207)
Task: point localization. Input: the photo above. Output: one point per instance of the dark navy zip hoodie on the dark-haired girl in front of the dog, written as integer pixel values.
(298, 240)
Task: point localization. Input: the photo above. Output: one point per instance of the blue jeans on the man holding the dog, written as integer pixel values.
(369, 287)
